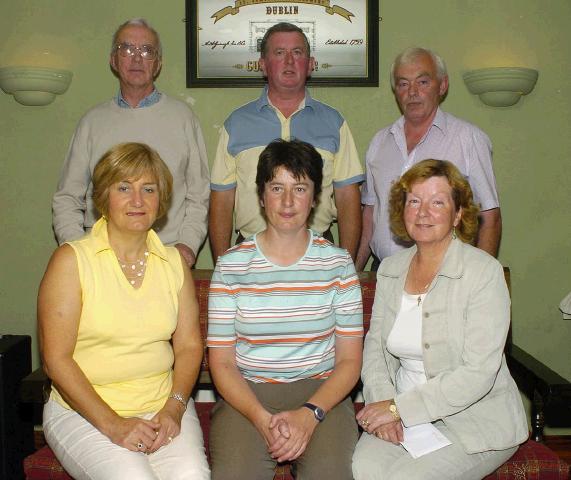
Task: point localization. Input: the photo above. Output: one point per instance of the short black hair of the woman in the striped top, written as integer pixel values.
(297, 157)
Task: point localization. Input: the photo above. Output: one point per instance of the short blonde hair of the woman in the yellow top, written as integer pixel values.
(130, 160)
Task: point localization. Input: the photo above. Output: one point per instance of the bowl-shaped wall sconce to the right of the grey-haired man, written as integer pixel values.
(501, 86)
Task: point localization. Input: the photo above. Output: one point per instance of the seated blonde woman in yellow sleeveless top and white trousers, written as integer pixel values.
(120, 337)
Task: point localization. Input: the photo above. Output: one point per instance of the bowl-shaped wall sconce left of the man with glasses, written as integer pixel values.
(34, 86)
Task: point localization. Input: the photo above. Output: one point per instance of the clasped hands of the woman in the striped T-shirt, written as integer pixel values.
(288, 433)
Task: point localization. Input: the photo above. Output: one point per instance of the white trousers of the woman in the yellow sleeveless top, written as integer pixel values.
(87, 454)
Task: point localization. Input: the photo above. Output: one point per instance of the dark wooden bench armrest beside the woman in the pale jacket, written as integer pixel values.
(548, 391)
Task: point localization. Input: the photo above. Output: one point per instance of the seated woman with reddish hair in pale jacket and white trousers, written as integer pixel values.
(434, 352)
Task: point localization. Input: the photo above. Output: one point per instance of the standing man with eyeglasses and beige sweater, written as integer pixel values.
(138, 113)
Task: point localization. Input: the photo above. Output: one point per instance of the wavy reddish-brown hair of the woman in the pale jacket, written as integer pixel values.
(461, 195)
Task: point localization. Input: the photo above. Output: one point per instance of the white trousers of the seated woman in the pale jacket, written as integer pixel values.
(376, 459)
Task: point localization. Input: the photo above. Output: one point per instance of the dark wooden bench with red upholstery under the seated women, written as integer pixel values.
(532, 461)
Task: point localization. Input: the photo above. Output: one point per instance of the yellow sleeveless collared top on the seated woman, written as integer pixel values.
(123, 341)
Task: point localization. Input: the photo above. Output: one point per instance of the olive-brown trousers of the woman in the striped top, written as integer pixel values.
(239, 452)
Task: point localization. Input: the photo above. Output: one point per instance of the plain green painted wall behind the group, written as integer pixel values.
(532, 144)
